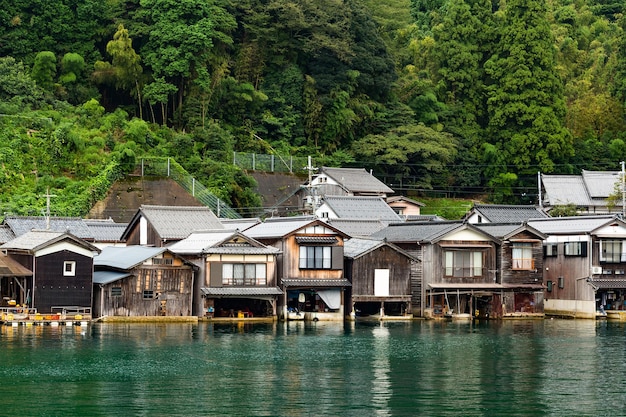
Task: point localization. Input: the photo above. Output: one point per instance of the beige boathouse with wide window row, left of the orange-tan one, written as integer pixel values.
(237, 274)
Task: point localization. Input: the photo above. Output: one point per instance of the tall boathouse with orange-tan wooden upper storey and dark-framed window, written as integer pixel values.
(310, 266)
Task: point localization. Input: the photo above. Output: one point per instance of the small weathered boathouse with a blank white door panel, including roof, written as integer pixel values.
(381, 277)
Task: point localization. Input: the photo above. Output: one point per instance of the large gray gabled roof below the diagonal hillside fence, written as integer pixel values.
(177, 222)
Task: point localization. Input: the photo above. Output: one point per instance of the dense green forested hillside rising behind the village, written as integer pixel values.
(445, 97)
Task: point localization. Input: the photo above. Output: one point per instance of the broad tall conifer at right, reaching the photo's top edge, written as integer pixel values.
(526, 106)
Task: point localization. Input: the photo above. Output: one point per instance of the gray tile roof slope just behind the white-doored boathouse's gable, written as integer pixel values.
(416, 231)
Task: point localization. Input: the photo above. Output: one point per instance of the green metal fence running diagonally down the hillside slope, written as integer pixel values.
(167, 167)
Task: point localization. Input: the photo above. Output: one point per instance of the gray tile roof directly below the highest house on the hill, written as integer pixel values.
(361, 207)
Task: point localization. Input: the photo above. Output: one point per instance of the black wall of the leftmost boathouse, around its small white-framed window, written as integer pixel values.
(52, 288)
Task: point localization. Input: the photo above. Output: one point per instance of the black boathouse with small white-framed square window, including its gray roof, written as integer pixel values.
(62, 266)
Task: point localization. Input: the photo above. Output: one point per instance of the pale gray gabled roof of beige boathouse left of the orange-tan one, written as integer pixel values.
(221, 241)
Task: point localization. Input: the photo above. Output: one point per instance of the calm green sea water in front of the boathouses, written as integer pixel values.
(426, 368)
